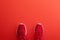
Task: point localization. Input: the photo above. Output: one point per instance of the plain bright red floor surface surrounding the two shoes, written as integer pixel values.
(12, 12)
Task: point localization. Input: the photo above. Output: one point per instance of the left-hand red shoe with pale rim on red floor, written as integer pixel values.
(21, 32)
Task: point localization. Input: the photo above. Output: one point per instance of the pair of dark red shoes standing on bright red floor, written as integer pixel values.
(22, 32)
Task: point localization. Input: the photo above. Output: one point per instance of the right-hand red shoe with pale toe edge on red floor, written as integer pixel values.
(38, 32)
